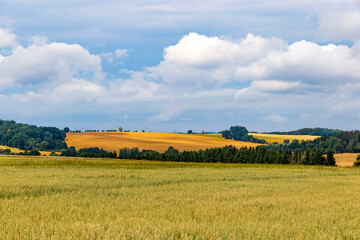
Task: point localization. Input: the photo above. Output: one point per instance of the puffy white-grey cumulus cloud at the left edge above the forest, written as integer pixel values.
(42, 63)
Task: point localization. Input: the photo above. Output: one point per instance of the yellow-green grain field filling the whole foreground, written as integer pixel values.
(65, 198)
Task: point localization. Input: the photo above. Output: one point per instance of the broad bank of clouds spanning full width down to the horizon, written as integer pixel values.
(202, 81)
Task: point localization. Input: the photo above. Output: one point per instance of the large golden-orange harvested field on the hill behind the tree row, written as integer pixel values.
(150, 141)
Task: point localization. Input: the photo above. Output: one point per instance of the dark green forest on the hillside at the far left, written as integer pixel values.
(30, 137)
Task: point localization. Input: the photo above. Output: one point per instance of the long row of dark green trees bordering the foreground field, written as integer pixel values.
(230, 154)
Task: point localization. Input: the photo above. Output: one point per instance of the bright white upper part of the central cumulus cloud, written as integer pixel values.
(201, 51)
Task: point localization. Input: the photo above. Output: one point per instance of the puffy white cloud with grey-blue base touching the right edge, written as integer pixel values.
(305, 61)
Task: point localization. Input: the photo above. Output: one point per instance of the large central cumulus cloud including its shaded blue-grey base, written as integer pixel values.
(200, 61)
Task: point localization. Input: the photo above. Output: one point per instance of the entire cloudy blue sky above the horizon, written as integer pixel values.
(171, 65)
